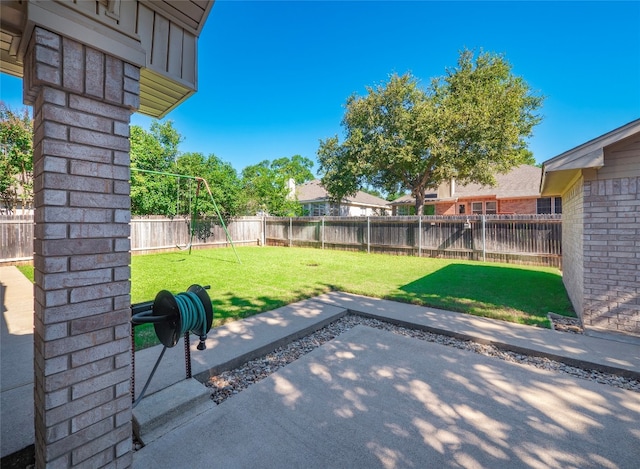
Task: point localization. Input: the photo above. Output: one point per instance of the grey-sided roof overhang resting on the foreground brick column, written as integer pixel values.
(159, 36)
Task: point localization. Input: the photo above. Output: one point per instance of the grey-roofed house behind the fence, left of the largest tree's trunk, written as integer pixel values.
(315, 201)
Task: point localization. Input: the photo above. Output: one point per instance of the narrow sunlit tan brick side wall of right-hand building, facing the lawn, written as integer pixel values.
(572, 245)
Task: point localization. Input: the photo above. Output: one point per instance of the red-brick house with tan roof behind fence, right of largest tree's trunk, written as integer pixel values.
(516, 192)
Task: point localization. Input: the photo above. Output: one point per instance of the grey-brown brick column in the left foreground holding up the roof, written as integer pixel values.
(83, 100)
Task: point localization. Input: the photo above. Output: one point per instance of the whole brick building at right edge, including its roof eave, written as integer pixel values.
(599, 183)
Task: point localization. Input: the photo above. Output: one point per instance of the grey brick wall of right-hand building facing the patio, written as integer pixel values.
(612, 254)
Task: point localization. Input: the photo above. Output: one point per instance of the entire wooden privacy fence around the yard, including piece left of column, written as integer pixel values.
(522, 239)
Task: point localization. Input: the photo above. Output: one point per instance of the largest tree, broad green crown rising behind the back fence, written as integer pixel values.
(469, 125)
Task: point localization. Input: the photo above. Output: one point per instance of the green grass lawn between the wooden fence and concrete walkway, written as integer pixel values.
(271, 277)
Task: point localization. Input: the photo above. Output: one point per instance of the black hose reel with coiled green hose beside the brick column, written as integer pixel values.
(173, 316)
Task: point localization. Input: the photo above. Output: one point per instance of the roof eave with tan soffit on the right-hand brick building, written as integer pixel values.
(559, 172)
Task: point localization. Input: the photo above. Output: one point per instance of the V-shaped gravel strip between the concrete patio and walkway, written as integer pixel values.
(231, 382)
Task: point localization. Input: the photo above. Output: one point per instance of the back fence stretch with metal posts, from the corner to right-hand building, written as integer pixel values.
(520, 239)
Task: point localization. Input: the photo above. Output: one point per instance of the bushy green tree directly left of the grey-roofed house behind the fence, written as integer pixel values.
(265, 185)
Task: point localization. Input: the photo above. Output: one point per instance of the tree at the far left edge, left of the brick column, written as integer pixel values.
(16, 157)
